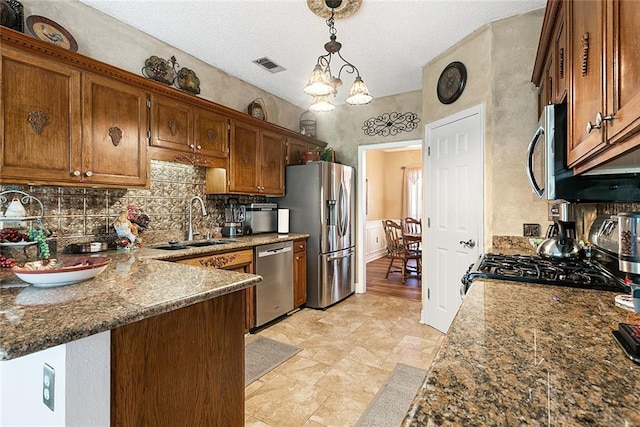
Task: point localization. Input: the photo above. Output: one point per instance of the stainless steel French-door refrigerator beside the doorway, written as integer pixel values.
(320, 197)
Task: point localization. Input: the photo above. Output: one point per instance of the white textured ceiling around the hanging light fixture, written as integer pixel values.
(388, 40)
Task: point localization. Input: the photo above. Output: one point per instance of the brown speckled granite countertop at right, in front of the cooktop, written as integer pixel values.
(530, 354)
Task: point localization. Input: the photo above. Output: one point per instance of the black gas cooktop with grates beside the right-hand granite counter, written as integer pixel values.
(534, 269)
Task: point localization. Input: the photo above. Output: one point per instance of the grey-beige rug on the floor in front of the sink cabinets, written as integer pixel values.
(264, 354)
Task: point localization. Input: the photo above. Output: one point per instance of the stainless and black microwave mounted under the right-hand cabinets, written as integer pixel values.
(549, 176)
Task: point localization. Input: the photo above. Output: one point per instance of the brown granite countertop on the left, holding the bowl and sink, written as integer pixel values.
(135, 286)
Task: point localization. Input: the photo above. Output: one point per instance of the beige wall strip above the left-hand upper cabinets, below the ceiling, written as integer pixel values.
(108, 40)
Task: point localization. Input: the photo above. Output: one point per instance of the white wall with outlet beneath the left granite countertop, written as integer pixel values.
(82, 385)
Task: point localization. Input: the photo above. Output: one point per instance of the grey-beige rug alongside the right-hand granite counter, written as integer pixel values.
(390, 405)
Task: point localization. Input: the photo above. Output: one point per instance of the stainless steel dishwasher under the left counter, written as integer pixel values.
(274, 295)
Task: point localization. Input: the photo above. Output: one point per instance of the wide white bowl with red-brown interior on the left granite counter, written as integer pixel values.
(62, 272)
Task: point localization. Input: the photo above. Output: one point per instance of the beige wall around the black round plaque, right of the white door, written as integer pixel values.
(499, 58)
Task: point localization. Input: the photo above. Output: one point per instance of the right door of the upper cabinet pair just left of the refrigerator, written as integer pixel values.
(272, 163)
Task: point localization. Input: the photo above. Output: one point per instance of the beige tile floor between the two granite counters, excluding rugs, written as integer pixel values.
(348, 351)
